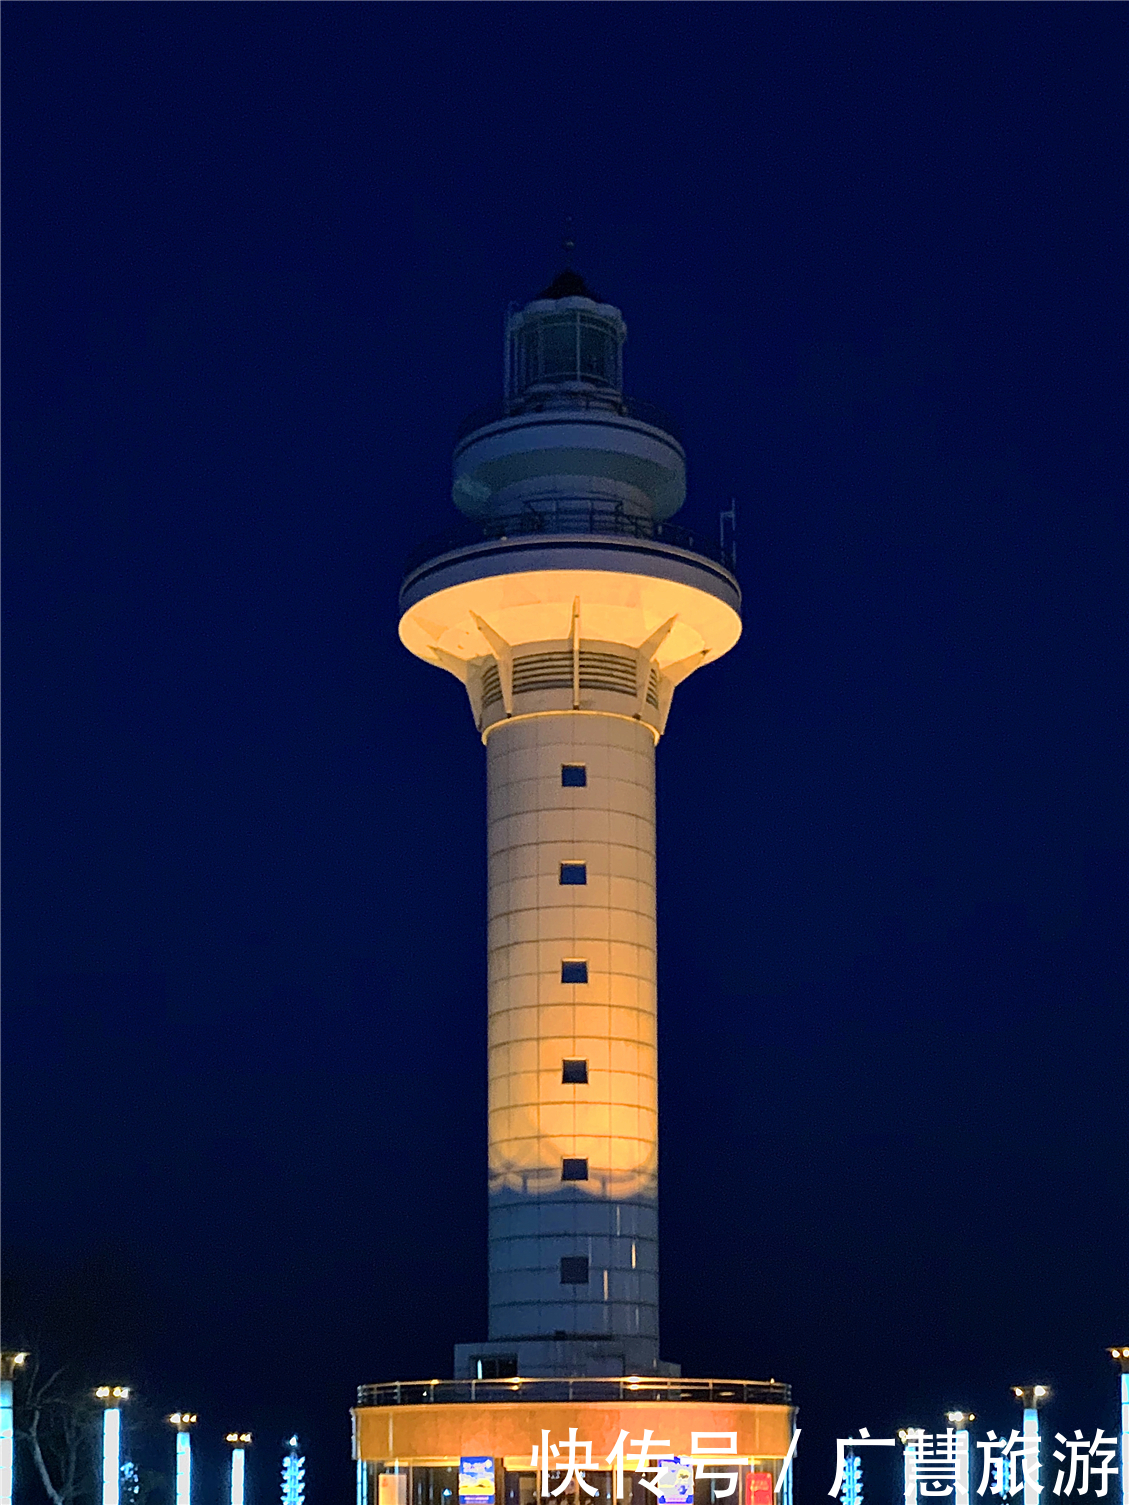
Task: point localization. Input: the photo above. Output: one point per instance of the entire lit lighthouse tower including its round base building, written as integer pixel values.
(570, 607)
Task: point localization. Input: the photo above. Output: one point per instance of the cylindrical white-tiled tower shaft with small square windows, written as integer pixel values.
(537, 1023)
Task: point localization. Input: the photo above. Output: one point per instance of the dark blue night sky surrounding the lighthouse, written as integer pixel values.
(257, 269)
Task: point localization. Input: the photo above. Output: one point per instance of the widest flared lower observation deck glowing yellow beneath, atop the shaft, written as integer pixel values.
(591, 607)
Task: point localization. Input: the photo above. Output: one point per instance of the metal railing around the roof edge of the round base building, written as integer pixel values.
(616, 1388)
